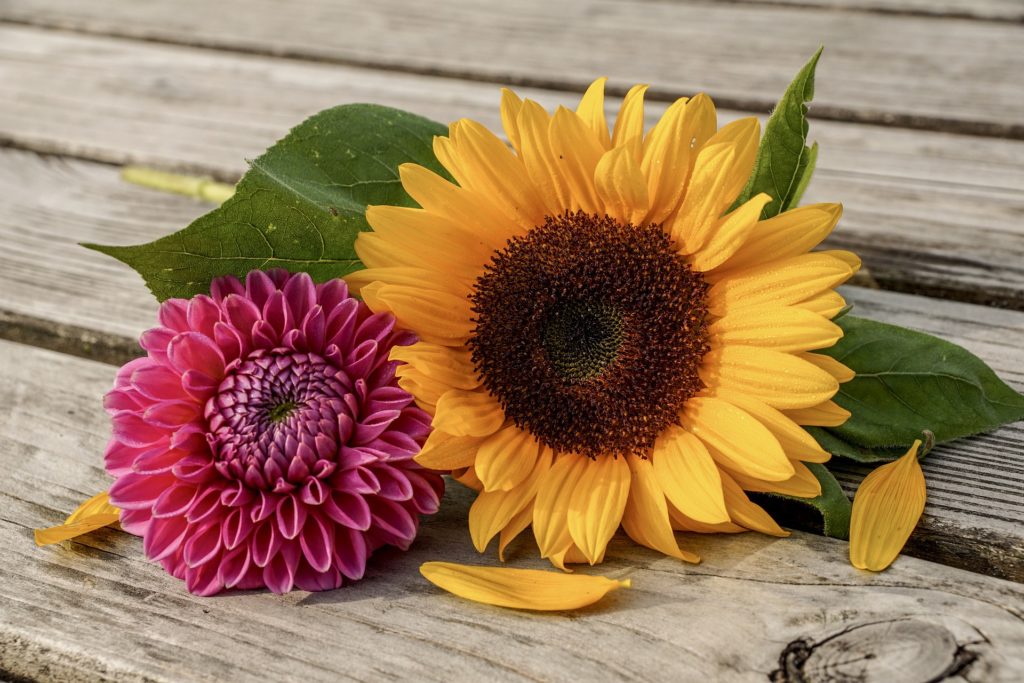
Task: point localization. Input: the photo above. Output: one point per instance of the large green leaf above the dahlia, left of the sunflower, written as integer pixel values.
(300, 207)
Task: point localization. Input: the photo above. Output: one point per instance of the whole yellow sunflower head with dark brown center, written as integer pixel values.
(604, 343)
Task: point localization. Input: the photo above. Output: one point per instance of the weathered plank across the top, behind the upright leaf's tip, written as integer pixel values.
(881, 68)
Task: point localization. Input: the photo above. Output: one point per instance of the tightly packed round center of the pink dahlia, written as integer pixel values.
(274, 422)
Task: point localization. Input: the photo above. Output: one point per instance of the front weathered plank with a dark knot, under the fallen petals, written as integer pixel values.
(755, 606)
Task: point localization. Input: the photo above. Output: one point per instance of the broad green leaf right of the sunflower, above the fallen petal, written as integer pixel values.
(909, 382)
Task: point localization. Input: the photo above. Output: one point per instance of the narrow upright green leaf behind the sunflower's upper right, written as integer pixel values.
(785, 163)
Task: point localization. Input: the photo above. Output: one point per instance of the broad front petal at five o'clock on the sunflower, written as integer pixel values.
(689, 476)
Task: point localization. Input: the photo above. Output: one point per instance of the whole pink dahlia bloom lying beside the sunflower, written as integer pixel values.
(264, 441)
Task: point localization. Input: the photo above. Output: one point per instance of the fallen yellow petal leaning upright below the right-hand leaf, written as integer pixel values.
(886, 508)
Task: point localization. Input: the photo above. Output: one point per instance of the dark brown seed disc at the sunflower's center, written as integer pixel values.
(590, 333)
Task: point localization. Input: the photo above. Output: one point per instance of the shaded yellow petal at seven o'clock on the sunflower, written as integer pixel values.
(493, 513)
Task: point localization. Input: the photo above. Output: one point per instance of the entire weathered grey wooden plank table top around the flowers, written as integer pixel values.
(920, 116)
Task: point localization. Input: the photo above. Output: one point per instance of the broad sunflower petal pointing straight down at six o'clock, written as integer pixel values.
(598, 504)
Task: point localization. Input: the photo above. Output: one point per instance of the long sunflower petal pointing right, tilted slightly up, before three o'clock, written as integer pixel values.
(780, 284)
